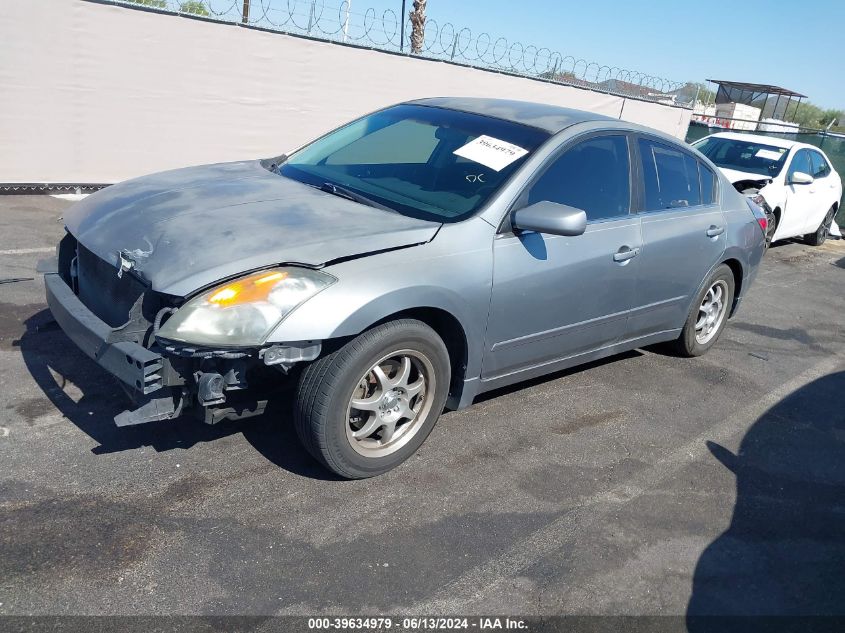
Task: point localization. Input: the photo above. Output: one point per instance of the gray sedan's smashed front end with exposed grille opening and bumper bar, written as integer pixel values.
(114, 317)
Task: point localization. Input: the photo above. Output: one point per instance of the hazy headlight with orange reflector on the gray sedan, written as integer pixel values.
(246, 310)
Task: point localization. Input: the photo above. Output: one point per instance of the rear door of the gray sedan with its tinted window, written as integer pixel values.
(683, 232)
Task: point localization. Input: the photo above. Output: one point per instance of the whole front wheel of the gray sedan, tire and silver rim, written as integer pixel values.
(367, 407)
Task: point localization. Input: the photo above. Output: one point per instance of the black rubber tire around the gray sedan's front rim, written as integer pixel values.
(321, 405)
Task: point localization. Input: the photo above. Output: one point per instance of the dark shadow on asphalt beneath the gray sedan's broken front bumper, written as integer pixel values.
(89, 397)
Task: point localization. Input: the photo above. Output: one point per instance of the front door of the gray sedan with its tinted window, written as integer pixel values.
(556, 297)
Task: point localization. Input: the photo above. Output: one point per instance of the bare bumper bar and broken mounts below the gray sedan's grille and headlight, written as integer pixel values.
(166, 379)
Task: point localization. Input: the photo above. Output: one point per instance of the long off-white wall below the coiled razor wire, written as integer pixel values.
(95, 93)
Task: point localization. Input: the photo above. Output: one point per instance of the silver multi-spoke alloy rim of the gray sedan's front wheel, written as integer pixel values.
(389, 403)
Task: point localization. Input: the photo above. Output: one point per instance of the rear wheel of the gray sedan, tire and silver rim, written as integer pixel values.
(709, 314)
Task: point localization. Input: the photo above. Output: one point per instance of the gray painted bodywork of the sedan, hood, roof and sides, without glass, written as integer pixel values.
(527, 304)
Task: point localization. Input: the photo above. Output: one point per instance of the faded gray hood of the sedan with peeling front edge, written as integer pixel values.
(188, 228)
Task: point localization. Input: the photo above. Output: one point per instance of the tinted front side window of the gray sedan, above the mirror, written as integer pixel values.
(592, 175)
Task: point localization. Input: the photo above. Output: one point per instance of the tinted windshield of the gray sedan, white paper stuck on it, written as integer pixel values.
(430, 163)
